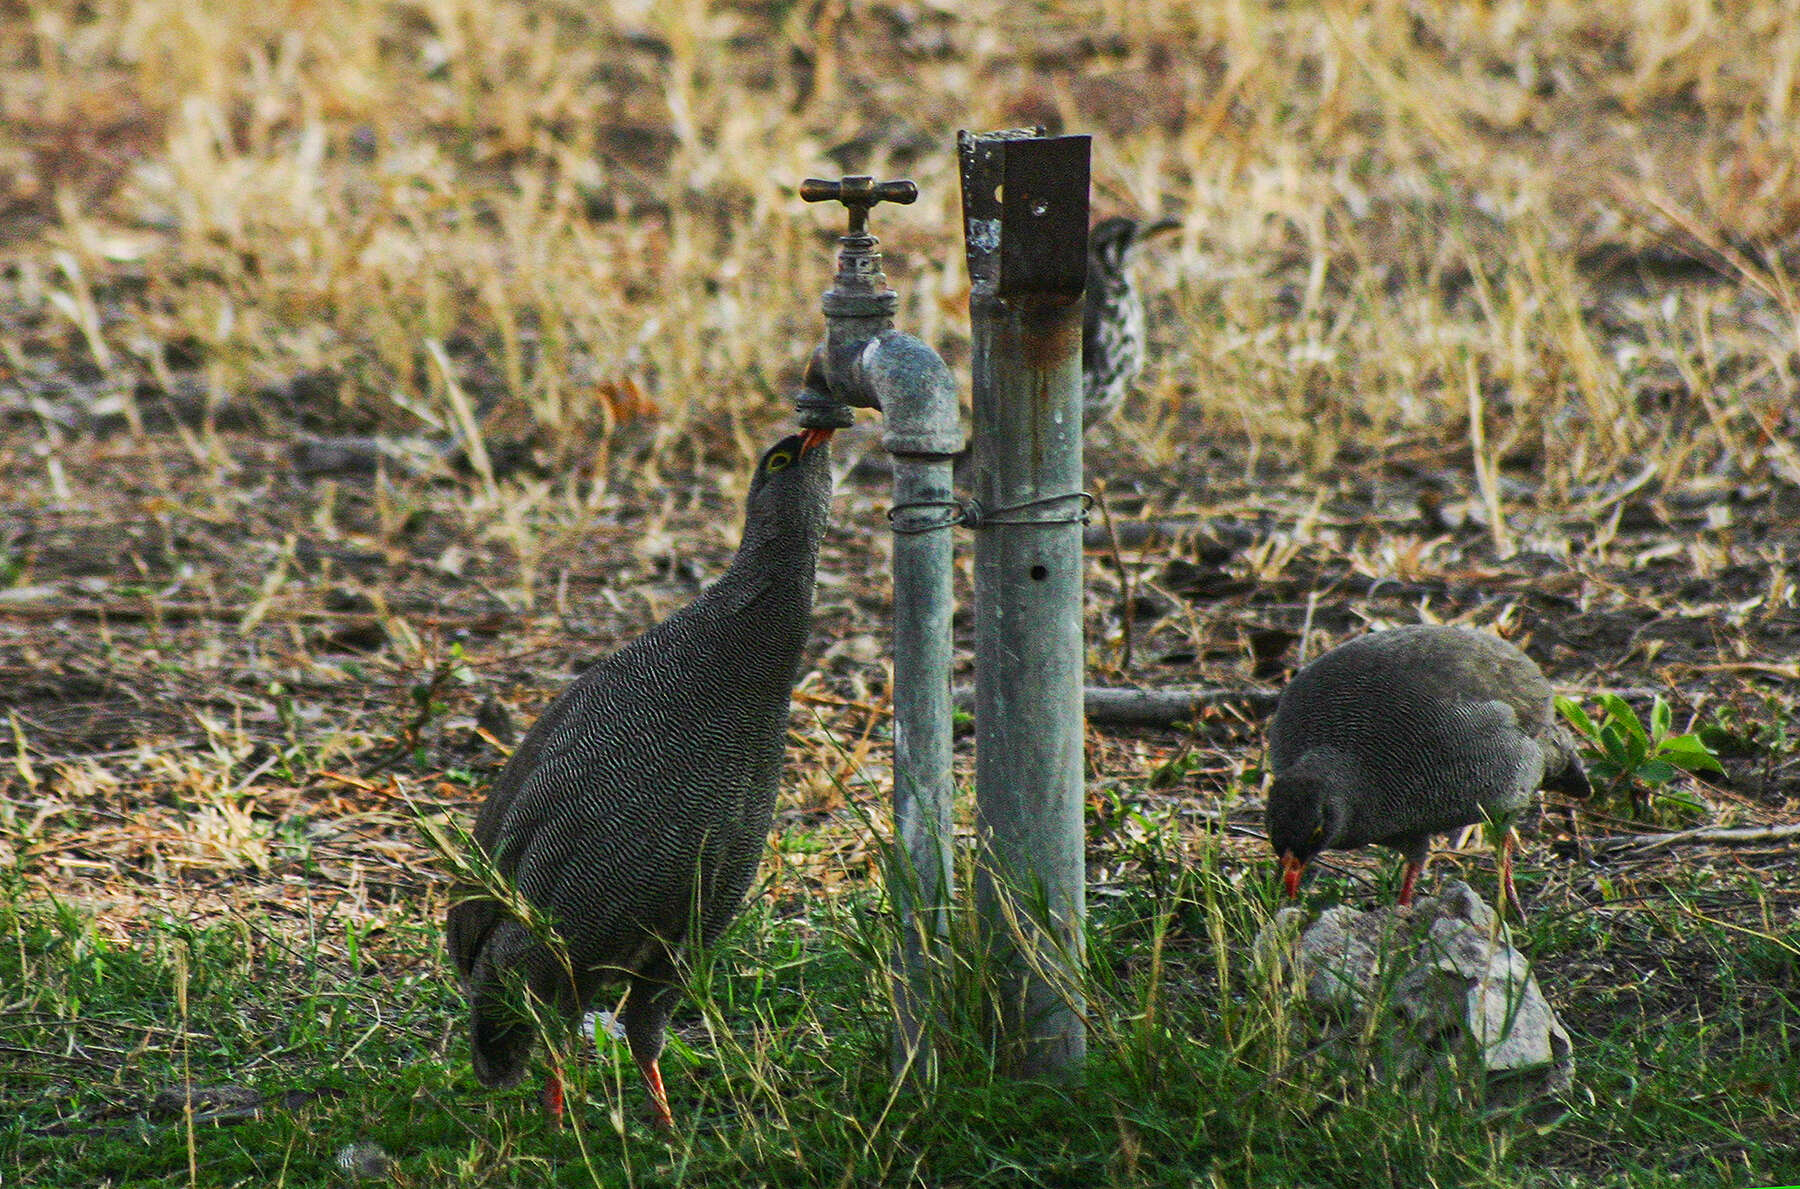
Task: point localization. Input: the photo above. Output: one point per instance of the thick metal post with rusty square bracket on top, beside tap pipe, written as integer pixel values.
(1025, 206)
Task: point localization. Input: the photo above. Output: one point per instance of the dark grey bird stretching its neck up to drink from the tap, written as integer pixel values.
(633, 818)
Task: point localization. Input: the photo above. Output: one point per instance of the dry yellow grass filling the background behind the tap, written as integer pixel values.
(602, 195)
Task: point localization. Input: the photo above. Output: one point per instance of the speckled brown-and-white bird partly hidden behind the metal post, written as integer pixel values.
(1113, 332)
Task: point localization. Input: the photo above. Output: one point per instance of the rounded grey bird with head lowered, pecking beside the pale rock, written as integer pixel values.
(1412, 733)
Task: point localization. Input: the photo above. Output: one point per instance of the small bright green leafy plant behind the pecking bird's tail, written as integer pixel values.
(1633, 764)
